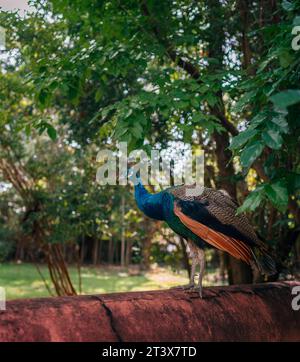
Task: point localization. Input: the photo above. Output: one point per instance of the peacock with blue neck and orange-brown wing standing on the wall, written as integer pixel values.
(208, 219)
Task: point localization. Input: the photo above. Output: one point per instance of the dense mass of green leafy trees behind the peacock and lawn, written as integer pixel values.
(80, 76)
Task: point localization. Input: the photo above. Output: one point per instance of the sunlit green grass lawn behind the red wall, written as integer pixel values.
(23, 280)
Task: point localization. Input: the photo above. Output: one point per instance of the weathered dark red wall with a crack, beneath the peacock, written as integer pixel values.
(259, 312)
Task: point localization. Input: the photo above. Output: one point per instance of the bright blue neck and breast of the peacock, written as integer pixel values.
(150, 204)
